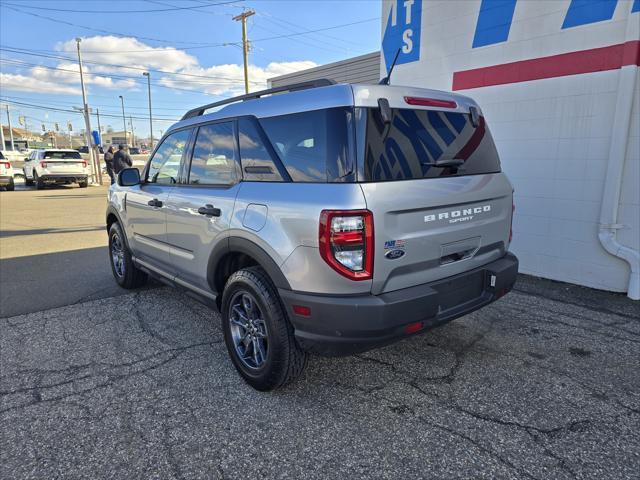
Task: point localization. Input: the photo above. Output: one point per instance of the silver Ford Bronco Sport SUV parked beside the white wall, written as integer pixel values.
(326, 219)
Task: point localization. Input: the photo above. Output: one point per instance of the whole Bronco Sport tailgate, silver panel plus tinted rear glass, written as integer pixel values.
(440, 204)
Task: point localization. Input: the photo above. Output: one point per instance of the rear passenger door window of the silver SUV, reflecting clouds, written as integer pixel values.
(213, 161)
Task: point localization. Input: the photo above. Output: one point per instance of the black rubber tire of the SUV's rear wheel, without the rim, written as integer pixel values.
(285, 360)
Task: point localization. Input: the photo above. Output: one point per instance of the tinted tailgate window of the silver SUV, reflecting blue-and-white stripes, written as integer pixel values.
(417, 140)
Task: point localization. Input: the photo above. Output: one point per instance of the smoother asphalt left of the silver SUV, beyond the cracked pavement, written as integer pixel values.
(53, 248)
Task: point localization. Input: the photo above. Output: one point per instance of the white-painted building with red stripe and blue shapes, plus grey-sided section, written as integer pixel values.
(558, 83)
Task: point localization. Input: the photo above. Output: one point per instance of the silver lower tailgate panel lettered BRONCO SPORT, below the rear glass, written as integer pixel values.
(430, 229)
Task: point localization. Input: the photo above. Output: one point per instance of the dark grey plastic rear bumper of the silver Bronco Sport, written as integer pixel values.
(343, 325)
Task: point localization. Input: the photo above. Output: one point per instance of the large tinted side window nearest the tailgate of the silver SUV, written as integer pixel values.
(313, 146)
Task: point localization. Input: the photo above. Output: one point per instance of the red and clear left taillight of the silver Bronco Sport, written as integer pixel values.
(346, 242)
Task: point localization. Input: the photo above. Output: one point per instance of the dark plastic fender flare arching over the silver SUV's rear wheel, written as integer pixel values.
(247, 247)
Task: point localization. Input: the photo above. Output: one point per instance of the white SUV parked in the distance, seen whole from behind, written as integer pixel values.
(55, 166)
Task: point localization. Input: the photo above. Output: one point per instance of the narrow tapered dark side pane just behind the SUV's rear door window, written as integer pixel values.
(257, 164)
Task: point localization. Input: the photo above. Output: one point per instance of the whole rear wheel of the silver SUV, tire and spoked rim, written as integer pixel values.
(257, 332)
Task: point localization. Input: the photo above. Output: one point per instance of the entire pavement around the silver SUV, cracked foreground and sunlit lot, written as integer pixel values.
(132, 385)
